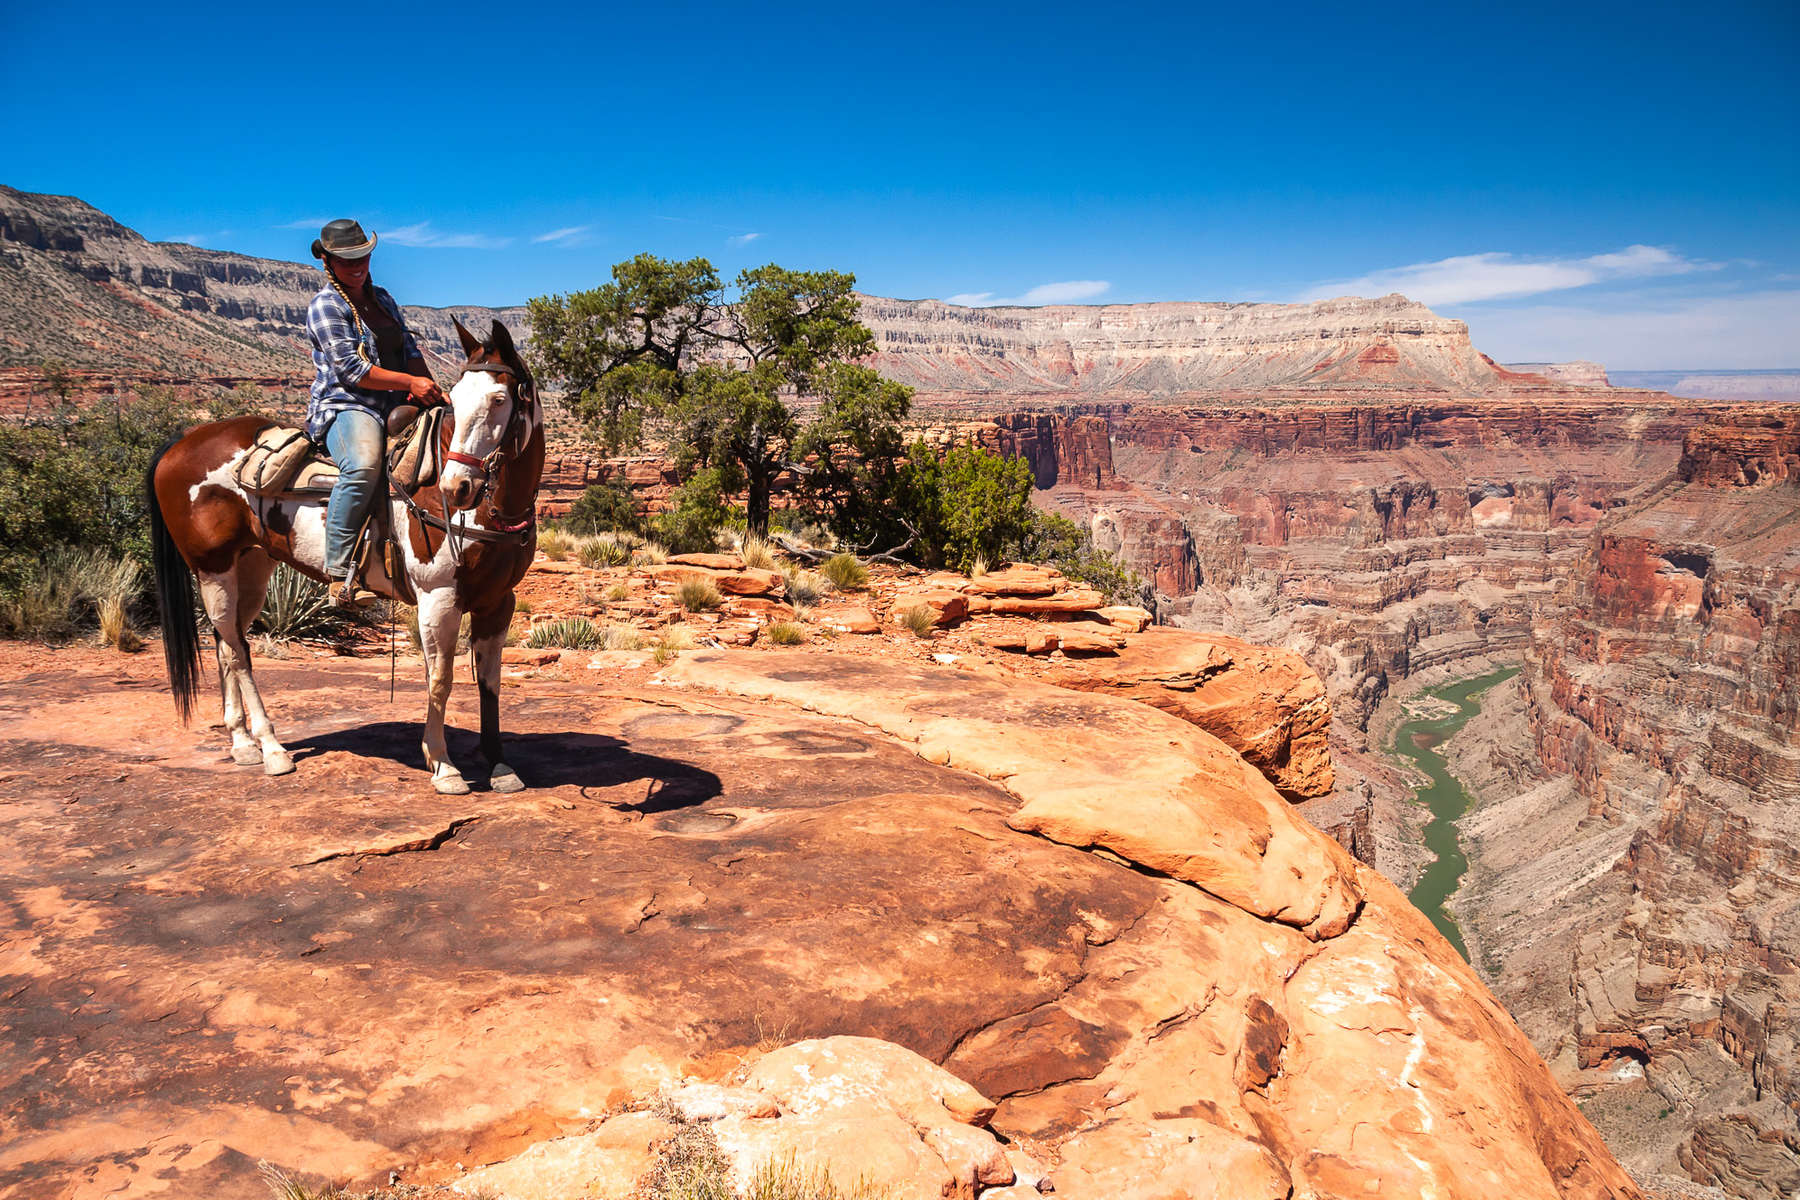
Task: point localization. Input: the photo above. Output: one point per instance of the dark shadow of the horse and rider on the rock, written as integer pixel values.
(593, 764)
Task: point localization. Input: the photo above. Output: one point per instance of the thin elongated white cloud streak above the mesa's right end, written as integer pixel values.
(1475, 278)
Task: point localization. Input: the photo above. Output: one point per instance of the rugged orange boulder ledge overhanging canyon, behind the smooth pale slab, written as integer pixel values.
(1263, 703)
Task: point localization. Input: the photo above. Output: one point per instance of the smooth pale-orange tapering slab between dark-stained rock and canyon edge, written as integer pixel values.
(1079, 766)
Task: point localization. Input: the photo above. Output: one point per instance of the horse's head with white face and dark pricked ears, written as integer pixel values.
(496, 415)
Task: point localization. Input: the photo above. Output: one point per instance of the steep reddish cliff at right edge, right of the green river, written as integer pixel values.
(1666, 690)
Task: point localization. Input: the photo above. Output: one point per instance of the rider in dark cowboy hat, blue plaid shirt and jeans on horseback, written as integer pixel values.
(364, 364)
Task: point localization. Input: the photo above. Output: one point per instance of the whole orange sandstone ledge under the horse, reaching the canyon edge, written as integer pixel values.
(1146, 972)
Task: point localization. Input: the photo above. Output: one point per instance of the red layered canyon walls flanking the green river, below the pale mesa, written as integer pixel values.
(1639, 555)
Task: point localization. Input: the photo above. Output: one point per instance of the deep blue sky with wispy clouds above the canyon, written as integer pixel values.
(1615, 183)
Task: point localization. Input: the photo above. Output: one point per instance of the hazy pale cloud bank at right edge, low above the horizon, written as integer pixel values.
(1747, 332)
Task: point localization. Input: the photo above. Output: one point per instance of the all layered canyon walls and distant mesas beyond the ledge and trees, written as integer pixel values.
(1356, 481)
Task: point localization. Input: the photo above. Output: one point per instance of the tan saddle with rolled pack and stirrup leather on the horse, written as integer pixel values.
(287, 465)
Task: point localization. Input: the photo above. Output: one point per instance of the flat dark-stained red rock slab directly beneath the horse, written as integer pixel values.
(346, 974)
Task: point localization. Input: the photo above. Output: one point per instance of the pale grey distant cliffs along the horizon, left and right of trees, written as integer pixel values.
(84, 289)
